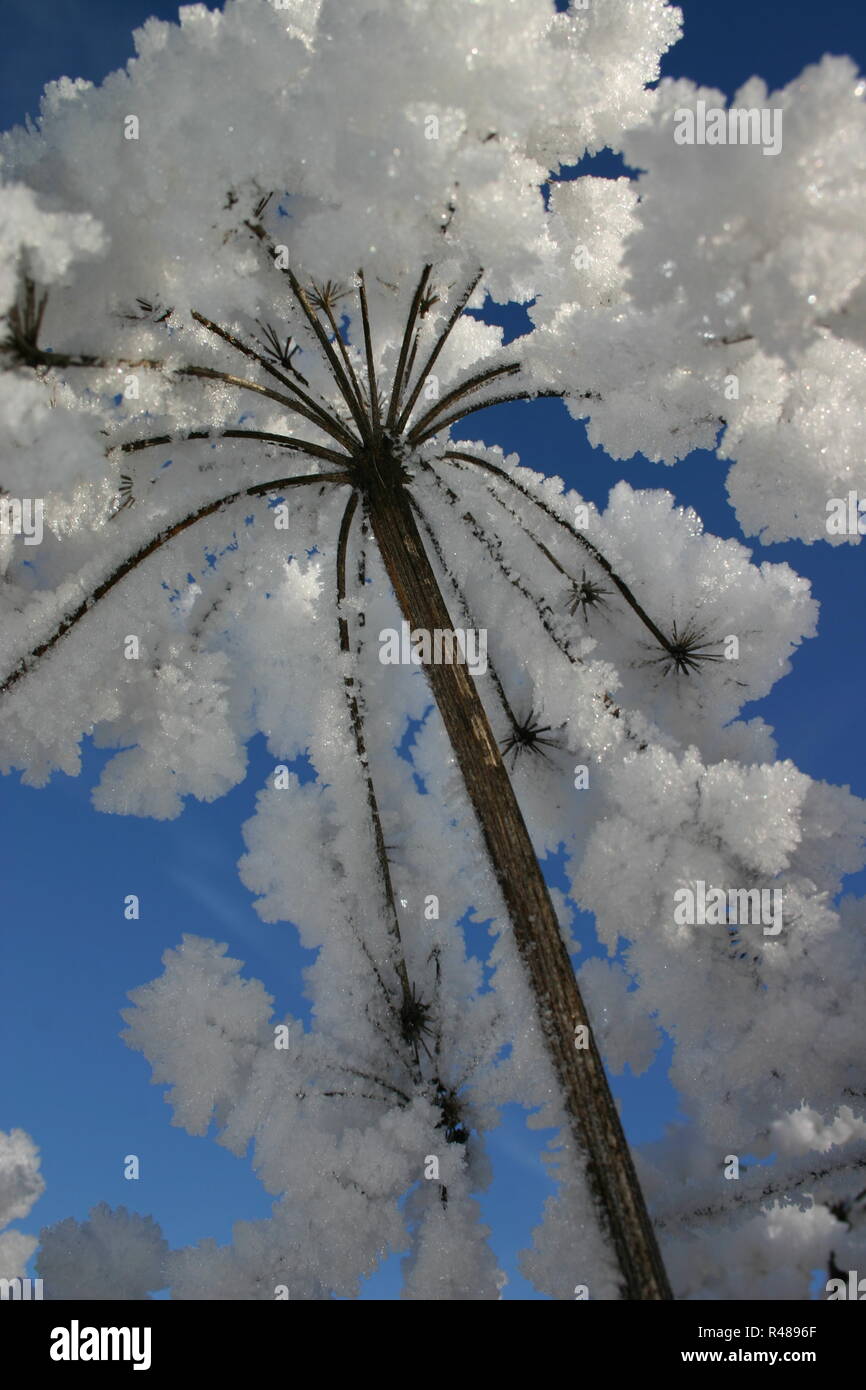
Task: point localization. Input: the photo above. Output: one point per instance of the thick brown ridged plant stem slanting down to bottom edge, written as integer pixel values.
(591, 1111)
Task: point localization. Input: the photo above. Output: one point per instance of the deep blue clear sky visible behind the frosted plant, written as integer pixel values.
(69, 956)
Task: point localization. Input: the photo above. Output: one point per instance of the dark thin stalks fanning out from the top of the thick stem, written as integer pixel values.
(369, 427)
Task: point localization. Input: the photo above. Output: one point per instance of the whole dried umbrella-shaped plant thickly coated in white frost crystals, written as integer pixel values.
(259, 245)
